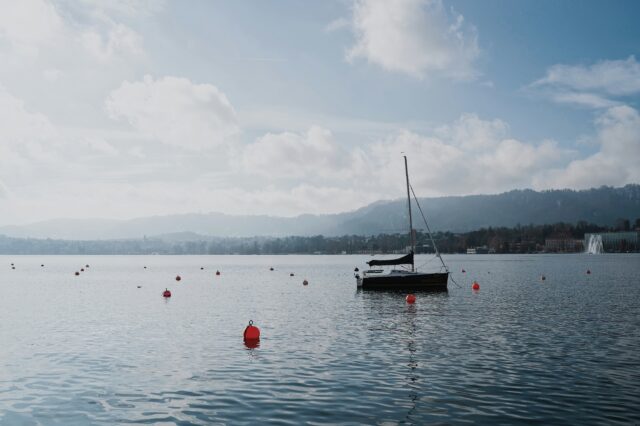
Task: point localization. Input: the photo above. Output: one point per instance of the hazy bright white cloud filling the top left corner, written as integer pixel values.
(63, 57)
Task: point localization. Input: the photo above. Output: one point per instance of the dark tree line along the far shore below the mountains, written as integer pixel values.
(519, 239)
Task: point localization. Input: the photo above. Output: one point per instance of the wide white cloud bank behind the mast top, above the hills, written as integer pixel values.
(470, 156)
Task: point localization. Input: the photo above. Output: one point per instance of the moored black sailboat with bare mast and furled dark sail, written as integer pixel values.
(404, 279)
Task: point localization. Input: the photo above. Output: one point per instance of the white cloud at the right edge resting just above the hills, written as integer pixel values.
(616, 162)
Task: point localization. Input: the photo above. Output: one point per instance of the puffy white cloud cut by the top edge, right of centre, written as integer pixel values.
(415, 37)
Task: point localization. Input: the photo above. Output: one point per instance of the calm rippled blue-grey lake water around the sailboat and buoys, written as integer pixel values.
(95, 349)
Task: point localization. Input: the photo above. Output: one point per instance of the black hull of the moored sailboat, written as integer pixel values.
(409, 282)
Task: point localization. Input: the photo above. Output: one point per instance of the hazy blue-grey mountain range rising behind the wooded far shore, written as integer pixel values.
(602, 206)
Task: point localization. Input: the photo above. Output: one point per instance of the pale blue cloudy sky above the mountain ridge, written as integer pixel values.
(125, 109)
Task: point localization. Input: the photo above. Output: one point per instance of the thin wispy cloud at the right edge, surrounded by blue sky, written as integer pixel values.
(591, 86)
